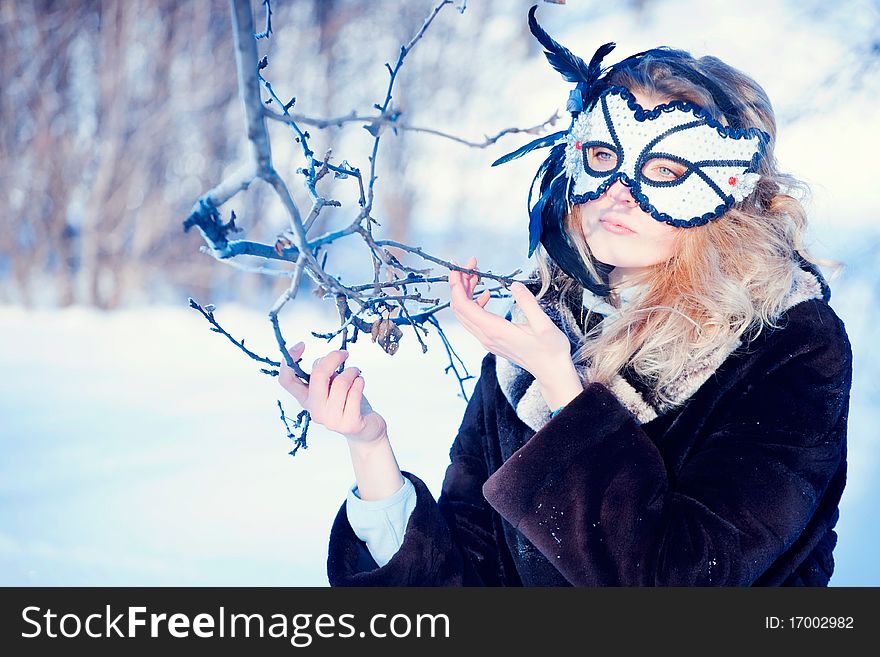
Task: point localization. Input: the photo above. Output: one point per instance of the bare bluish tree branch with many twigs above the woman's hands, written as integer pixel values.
(378, 308)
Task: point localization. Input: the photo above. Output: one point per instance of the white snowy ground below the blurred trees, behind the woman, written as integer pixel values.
(139, 448)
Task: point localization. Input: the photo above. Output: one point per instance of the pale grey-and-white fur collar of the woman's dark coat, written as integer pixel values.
(523, 392)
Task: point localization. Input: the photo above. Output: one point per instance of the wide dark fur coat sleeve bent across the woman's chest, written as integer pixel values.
(592, 492)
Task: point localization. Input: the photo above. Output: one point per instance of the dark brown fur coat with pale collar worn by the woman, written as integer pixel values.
(737, 485)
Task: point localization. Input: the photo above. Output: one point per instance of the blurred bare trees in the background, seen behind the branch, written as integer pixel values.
(115, 115)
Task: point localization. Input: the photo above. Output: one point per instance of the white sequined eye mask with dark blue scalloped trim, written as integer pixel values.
(682, 166)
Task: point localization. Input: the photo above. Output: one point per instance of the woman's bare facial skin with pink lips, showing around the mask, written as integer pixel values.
(642, 241)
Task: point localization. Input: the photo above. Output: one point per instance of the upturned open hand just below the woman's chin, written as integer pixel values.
(538, 346)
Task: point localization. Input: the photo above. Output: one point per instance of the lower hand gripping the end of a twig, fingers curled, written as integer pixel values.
(335, 400)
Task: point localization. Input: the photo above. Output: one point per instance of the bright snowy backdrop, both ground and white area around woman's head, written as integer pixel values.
(139, 448)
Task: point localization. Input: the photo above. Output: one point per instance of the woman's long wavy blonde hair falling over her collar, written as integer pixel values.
(726, 280)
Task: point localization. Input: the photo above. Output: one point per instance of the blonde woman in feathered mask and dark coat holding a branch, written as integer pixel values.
(666, 405)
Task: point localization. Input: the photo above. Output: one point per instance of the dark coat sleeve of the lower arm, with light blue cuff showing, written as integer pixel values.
(449, 542)
